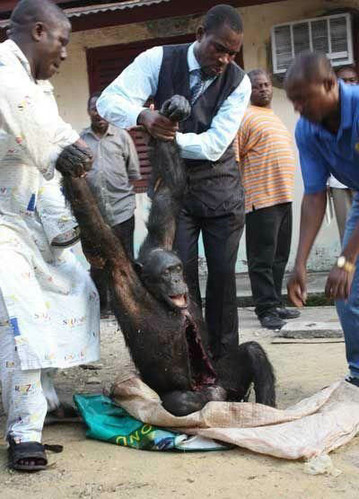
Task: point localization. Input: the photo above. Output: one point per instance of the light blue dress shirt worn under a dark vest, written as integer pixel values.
(122, 101)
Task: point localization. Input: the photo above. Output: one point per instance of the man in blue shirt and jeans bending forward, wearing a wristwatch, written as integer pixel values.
(327, 136)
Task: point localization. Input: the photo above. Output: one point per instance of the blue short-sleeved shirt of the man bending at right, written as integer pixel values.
(322, 153)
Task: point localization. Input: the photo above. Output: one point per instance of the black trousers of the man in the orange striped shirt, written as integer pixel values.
(268, 239)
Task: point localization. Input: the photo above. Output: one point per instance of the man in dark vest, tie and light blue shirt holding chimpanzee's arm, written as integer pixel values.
(205, 73)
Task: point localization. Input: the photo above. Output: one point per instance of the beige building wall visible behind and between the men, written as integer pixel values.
(71, 87)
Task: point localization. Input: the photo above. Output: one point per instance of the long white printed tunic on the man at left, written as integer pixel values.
(49, 300)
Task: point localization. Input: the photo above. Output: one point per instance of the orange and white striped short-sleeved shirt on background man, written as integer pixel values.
(266, 157)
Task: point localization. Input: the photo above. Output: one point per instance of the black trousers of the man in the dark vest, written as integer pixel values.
(221, 236)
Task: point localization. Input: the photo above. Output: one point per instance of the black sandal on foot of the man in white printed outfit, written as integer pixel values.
(29, 456)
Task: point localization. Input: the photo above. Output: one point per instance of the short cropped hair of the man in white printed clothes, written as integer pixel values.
(29, 12)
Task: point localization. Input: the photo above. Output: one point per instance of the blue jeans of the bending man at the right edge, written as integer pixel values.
(348, 311)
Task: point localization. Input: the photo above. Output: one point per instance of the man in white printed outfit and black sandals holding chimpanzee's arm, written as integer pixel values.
(49, 308)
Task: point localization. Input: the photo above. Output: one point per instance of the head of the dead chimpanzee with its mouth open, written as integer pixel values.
(162, 274)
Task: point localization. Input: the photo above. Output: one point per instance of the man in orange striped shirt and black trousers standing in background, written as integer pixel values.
(267, 162)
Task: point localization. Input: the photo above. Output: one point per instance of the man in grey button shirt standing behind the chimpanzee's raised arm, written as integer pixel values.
(115, 165)
